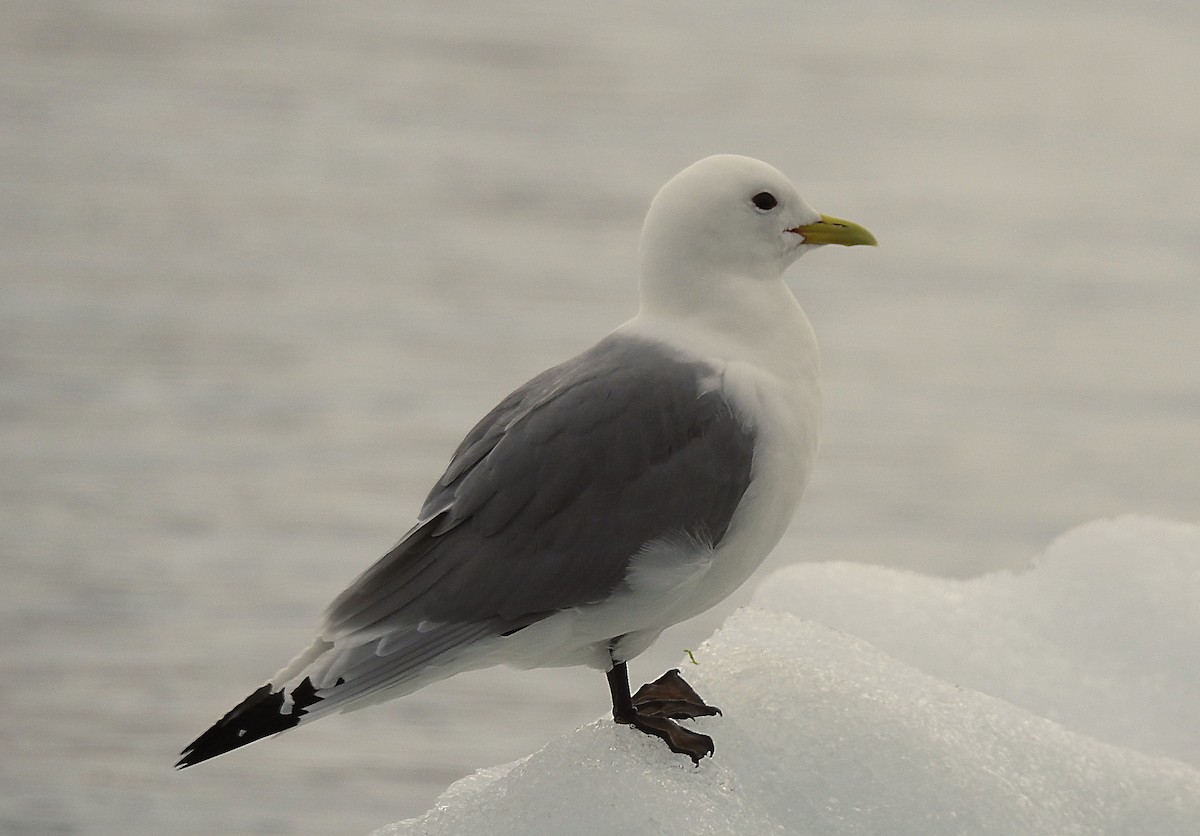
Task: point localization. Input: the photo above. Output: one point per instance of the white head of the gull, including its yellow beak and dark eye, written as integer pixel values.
(728, 219)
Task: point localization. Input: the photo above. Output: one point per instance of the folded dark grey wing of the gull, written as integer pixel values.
(555, 491)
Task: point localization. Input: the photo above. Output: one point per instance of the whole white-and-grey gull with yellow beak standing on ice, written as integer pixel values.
(621, 492)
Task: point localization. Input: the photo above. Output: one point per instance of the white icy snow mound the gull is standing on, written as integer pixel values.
(1041, 702)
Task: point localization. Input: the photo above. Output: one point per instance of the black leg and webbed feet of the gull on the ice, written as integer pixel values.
(656, 707)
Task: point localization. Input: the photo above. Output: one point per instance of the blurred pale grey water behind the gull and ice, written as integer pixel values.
(265, 263)
